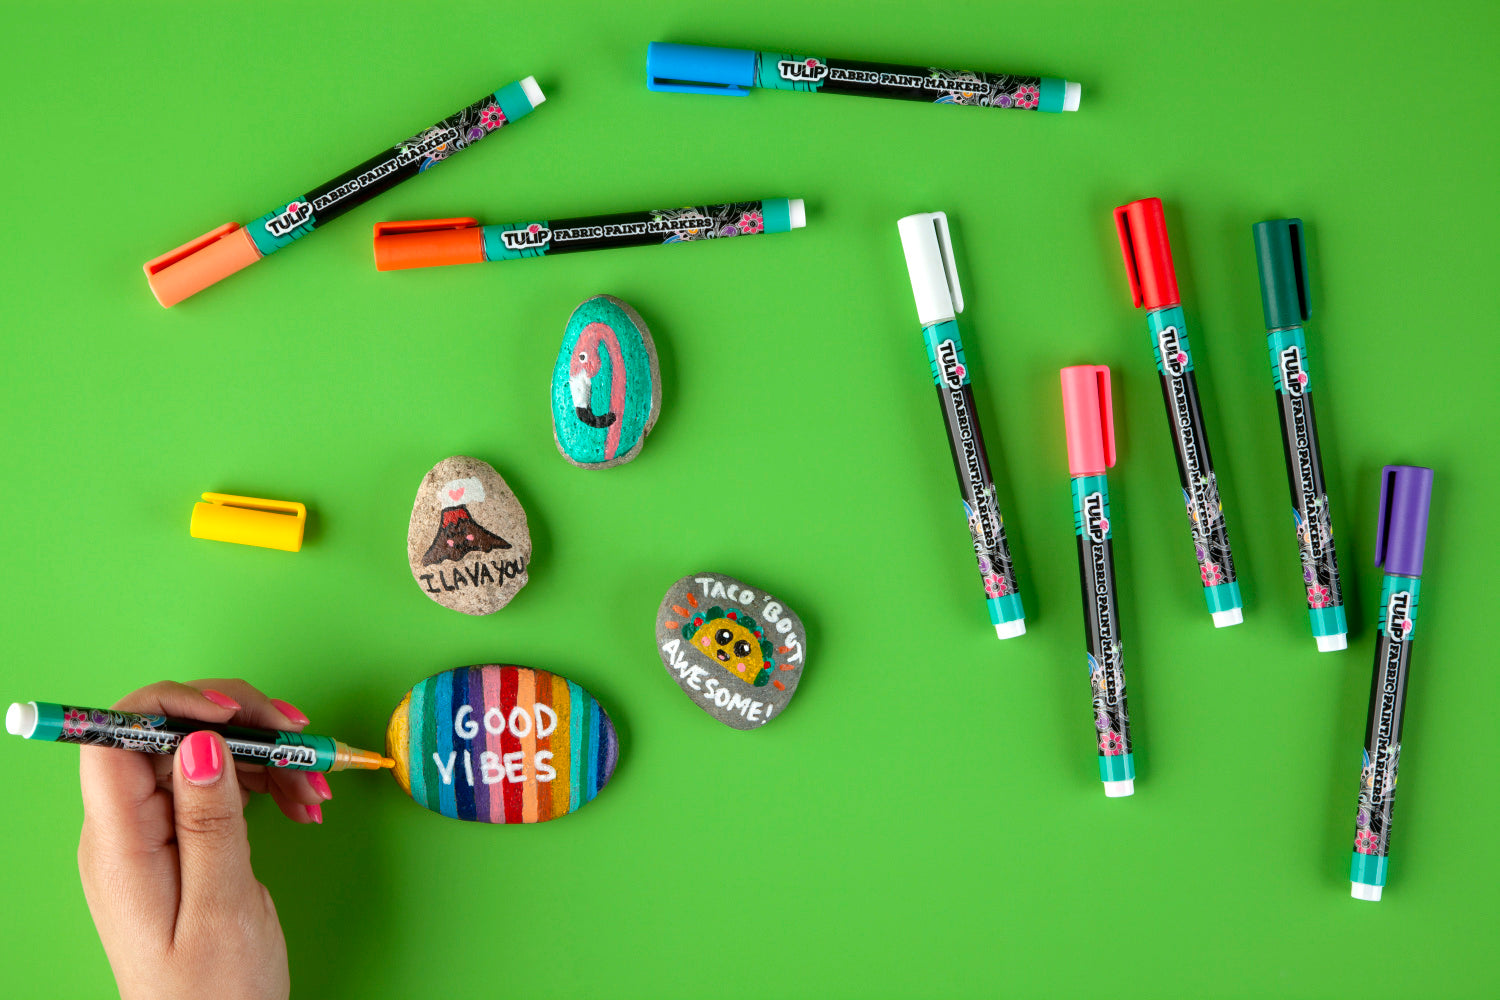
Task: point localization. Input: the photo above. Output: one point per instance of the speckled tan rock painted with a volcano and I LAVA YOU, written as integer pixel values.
(469, 543)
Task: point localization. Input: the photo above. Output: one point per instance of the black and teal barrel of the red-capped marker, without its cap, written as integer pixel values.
(1180, 391)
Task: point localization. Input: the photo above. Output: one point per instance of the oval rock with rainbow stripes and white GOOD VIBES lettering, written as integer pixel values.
(502, 744)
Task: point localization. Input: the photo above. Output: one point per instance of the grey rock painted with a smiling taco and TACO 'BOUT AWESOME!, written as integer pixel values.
(736, 650)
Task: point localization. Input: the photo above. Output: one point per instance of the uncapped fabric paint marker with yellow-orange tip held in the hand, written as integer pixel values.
(161, 735)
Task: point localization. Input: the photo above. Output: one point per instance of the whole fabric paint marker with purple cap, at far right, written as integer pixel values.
(1406, 494)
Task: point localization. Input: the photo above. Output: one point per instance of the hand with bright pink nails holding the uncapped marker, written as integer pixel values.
(164, 855)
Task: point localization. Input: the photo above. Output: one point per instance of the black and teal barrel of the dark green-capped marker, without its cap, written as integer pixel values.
(1310, 506)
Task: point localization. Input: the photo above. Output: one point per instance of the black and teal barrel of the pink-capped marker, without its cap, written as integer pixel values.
(1094, 530)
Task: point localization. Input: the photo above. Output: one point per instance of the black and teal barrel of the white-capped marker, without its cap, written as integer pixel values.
(976, 485)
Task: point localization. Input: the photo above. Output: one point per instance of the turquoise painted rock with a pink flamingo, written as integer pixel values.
(607, 388)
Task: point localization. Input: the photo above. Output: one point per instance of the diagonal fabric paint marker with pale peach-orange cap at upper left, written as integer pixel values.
(221, 253)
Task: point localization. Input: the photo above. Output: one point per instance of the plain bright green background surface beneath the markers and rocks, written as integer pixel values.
(926, 819)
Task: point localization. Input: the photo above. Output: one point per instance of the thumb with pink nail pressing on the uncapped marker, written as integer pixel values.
(212, 845)
